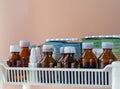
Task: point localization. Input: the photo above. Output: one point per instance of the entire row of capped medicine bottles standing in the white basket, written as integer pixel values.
(22, 56)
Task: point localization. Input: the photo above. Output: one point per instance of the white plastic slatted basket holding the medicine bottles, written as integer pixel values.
(59, 76)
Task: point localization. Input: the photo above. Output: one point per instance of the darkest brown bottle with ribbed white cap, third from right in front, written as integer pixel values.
(69, 61)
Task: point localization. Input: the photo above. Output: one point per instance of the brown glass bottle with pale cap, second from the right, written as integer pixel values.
(88, 58)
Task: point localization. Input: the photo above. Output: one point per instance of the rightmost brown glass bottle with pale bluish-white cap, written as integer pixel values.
(107, 57)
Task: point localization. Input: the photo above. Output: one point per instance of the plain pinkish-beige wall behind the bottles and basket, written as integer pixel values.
(37, 20)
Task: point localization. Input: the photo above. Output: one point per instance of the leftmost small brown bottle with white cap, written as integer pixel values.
(14, 50)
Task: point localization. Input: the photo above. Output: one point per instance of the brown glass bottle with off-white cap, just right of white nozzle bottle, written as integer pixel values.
(47, 61)
